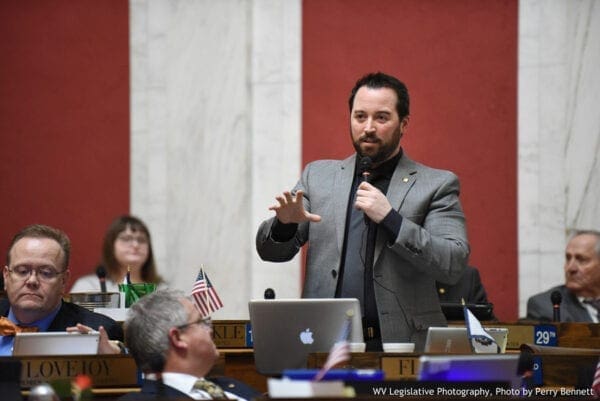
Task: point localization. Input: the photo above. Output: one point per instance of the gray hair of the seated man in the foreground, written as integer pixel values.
(147, 327)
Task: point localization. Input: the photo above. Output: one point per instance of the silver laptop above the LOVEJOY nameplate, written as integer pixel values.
(56, 343)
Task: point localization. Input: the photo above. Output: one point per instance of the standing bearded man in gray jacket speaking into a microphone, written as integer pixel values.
(381, 227)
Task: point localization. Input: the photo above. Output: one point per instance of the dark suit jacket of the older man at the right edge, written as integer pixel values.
(539, 307)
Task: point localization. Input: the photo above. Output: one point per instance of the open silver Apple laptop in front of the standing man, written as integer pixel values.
(285, 331)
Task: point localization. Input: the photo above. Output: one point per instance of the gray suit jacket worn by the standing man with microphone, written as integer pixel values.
(431, 245)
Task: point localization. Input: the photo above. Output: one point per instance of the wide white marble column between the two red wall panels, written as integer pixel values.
(215, 134)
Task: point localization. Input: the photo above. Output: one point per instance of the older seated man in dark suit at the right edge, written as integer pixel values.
(581, 291)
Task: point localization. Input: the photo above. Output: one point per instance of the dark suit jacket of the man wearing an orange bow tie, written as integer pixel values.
(70, 314)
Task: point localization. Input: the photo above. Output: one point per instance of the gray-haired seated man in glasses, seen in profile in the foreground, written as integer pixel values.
(172, 343)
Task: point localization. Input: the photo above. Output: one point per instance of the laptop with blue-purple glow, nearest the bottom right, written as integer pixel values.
(470, 368)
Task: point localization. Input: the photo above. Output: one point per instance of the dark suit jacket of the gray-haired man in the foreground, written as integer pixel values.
(152, 390)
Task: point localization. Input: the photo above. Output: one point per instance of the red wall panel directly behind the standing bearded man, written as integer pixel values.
(459, 61)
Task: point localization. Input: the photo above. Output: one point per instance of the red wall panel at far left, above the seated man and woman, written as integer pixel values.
(64, 119)
